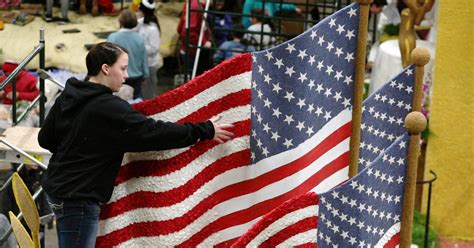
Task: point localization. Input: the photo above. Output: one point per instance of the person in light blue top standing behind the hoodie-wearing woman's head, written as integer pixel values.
(135, 44)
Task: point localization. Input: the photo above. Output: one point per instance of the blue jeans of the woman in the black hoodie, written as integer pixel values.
(77, 221)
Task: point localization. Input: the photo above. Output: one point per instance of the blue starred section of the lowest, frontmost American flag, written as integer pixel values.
(366, 210)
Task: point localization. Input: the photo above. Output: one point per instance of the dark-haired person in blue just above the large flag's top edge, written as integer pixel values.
(233, 47)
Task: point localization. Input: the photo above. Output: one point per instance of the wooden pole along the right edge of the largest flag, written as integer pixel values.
(358, 86)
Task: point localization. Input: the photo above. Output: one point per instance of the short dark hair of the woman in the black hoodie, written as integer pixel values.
(102, 53)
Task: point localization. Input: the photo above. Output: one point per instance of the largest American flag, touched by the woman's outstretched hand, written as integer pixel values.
(291, 109)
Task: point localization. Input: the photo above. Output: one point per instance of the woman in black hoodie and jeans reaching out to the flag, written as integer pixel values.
(88, 130)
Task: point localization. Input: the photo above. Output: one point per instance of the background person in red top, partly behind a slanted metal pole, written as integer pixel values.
(195, 20)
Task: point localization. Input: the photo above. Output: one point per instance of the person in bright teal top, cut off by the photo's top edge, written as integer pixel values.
(269, 8)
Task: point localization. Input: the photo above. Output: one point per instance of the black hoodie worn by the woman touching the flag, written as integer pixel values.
(88, 130)
